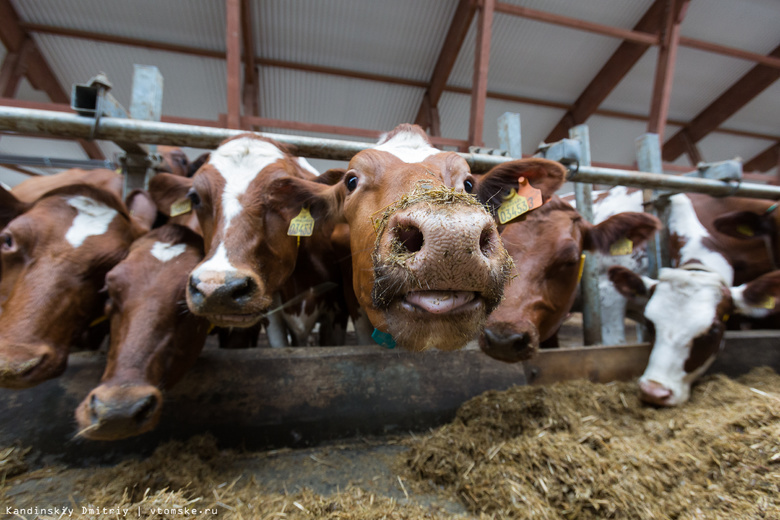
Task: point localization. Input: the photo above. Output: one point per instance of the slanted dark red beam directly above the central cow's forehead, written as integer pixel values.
(459, 27)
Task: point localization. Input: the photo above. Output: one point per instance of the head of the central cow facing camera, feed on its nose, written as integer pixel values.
(428, 263)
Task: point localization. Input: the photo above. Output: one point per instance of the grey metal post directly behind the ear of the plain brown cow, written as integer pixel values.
(591, 304)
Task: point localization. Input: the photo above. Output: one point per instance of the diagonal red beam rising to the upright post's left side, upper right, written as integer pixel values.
(610, 75)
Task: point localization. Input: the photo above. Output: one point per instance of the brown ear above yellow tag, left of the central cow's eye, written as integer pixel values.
(290, 194)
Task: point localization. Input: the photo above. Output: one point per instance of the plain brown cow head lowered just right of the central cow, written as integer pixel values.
(548, 252)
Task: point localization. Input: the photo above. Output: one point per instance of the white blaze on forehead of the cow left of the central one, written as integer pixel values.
(239, 162)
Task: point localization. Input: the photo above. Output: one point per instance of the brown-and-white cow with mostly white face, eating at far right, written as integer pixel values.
(712, 276)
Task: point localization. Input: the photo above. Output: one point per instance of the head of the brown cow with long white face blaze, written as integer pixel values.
(244, 224)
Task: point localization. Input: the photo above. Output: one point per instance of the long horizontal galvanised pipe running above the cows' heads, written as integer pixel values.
(49, 123)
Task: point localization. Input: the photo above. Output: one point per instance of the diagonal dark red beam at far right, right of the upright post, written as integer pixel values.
(755, 81)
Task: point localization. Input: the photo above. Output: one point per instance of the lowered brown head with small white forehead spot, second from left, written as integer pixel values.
(155, 340)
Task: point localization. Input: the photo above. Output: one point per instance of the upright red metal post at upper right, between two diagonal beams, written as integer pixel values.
(664, 71)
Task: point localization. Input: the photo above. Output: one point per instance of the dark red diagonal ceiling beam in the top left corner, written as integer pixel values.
(37, 71)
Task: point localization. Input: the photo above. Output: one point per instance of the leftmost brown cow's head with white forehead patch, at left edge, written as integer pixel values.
(55, 254)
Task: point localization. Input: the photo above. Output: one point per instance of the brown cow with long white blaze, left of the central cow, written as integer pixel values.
(253, 270)
